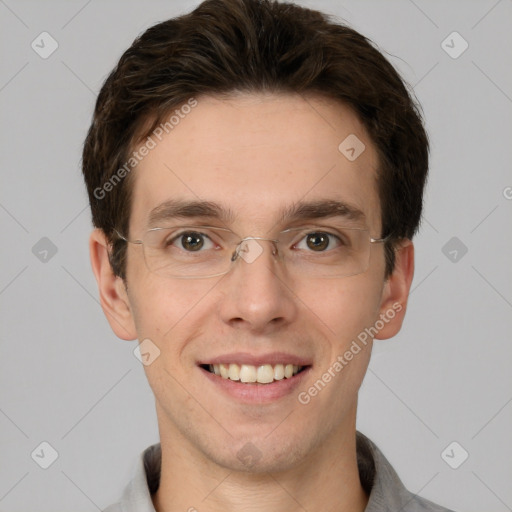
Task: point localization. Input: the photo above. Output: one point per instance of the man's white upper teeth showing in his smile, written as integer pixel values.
(248, 373)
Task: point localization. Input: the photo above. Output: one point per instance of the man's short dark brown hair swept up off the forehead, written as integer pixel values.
(252, 46)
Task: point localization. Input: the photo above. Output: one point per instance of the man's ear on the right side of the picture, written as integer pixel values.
(396, 291)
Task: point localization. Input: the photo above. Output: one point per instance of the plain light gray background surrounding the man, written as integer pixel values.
(66, 379)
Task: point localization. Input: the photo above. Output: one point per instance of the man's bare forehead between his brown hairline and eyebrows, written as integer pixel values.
(256, 156)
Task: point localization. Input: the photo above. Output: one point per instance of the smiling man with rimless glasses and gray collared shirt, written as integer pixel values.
(255, 173)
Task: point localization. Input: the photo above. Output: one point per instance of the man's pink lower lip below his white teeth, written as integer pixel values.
(255, 392)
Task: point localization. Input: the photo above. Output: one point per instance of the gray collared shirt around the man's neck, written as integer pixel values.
(378, 478)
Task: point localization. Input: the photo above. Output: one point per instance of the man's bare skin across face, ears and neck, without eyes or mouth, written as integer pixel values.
(255, 154)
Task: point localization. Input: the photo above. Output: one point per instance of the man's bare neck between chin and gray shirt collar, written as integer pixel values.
(328, 480)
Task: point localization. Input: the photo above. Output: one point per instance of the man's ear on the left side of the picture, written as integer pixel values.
(113, 296)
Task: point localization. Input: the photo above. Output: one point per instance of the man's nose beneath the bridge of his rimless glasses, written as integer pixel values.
(256, 296)
